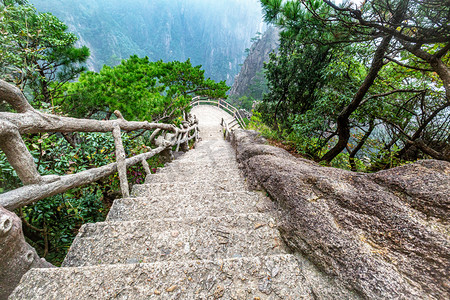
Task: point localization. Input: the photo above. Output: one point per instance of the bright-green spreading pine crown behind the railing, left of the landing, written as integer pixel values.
(140, 89)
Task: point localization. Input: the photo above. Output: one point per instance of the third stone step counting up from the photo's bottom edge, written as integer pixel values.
(191, 205)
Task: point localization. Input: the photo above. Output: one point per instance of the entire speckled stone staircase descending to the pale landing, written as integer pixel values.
(192, 231)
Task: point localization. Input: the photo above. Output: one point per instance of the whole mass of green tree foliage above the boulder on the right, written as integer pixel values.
(324, 59)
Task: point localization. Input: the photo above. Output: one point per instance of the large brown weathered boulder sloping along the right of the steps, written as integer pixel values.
(384, 234)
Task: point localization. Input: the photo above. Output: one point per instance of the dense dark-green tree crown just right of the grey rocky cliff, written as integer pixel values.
(294, 77)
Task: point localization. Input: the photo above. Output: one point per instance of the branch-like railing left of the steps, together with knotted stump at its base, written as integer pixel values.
(16, 255)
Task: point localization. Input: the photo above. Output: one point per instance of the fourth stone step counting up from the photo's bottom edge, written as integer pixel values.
(192, 187)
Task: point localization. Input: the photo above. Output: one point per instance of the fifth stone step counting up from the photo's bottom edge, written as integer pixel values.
(213, 175)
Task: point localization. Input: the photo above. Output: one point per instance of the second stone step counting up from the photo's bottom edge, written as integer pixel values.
(207, 238)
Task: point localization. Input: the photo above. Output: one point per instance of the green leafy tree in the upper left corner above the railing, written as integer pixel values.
(36, 50)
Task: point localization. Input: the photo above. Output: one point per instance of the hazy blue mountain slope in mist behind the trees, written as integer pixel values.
(213, 34)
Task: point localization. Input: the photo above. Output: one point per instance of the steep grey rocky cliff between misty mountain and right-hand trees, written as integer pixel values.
(254, 63)
